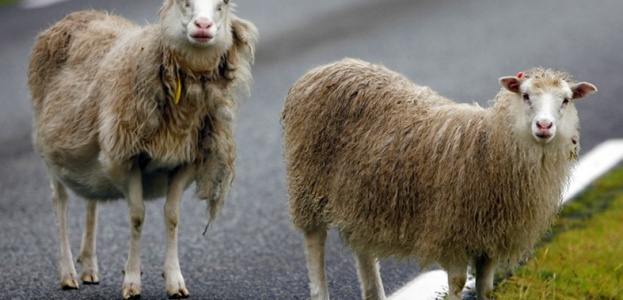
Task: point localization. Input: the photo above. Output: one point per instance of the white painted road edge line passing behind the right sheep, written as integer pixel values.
(431, 285)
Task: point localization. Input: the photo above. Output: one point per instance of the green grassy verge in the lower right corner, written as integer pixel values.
(583, 257)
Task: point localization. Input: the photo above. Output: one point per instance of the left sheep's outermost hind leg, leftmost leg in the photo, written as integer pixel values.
(66, 268)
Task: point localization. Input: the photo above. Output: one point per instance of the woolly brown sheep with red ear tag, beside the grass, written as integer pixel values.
(401, 171)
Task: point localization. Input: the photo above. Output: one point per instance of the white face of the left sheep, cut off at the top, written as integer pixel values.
(204, 23)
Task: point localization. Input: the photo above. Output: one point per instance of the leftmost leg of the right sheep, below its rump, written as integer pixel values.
(314, 253)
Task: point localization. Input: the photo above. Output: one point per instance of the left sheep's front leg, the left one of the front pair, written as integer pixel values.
(132, 272)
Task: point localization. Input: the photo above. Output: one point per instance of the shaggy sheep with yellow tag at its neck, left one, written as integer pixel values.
(139, 112)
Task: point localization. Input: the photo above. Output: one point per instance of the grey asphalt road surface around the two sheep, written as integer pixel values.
(459, 48)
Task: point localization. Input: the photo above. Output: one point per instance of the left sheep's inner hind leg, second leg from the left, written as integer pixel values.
(88, 257)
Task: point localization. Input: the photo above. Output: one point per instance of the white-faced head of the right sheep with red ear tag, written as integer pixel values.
(548, 99)
